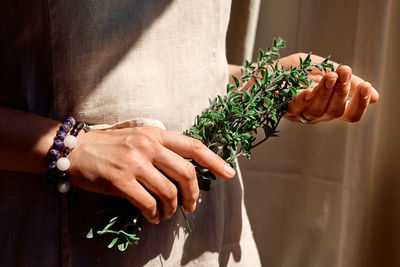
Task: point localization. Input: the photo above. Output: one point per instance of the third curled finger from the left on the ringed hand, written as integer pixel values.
(358, 103)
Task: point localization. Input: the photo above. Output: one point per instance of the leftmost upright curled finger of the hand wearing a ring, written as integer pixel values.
(321, 99)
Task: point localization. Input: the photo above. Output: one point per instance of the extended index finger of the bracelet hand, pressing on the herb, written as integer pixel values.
(188, 147)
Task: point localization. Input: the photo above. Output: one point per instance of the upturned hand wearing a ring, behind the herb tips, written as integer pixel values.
(328, 95)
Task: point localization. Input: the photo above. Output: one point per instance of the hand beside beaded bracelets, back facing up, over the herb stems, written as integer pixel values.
(131, 163)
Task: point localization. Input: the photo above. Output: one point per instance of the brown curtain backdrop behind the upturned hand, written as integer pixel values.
(326, 195)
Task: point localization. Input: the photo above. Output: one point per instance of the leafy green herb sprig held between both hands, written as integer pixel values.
(229, 126)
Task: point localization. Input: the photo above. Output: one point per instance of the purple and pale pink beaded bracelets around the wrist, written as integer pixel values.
(57, 177)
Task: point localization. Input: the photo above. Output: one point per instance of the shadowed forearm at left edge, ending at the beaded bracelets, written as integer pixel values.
(25, 139)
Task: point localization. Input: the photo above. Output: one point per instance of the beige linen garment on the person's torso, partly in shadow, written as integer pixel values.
(106, 62)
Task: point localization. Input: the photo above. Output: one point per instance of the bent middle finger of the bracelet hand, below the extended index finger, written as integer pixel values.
(183, 172)
